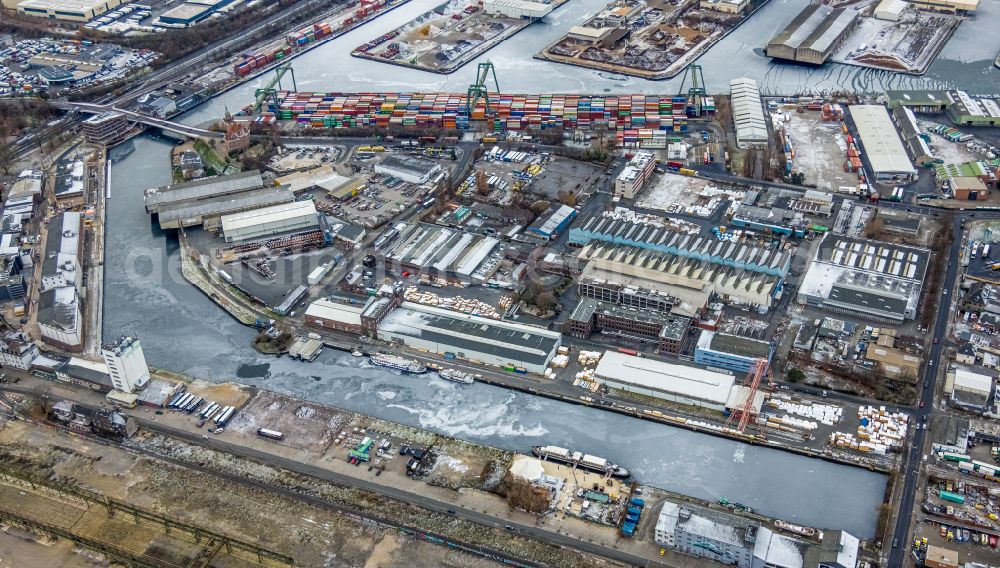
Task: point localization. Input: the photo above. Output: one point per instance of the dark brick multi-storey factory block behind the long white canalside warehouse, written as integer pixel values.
(627, 324)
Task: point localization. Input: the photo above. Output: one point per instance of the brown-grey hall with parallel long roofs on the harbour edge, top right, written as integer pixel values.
(813, 35)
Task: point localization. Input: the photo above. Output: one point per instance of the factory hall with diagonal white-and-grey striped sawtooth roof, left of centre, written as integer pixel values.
(432, 248)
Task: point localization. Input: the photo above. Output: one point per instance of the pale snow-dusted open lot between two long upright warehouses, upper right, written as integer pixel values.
(822, 149)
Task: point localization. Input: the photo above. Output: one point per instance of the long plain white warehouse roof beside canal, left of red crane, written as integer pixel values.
(686, 381)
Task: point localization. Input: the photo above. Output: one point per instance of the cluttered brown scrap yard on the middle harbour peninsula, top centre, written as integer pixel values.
(652, 39)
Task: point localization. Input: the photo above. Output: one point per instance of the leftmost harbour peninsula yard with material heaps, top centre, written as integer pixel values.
(445, 38)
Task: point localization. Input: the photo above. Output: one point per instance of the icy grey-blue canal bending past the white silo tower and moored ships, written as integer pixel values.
(183, 331)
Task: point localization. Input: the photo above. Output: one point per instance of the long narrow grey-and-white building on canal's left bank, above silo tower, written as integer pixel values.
(59, 315)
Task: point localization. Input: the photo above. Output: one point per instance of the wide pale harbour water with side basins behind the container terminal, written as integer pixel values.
(966, 62)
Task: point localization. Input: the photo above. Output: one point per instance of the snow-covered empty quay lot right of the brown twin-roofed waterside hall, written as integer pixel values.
(909, 45)
